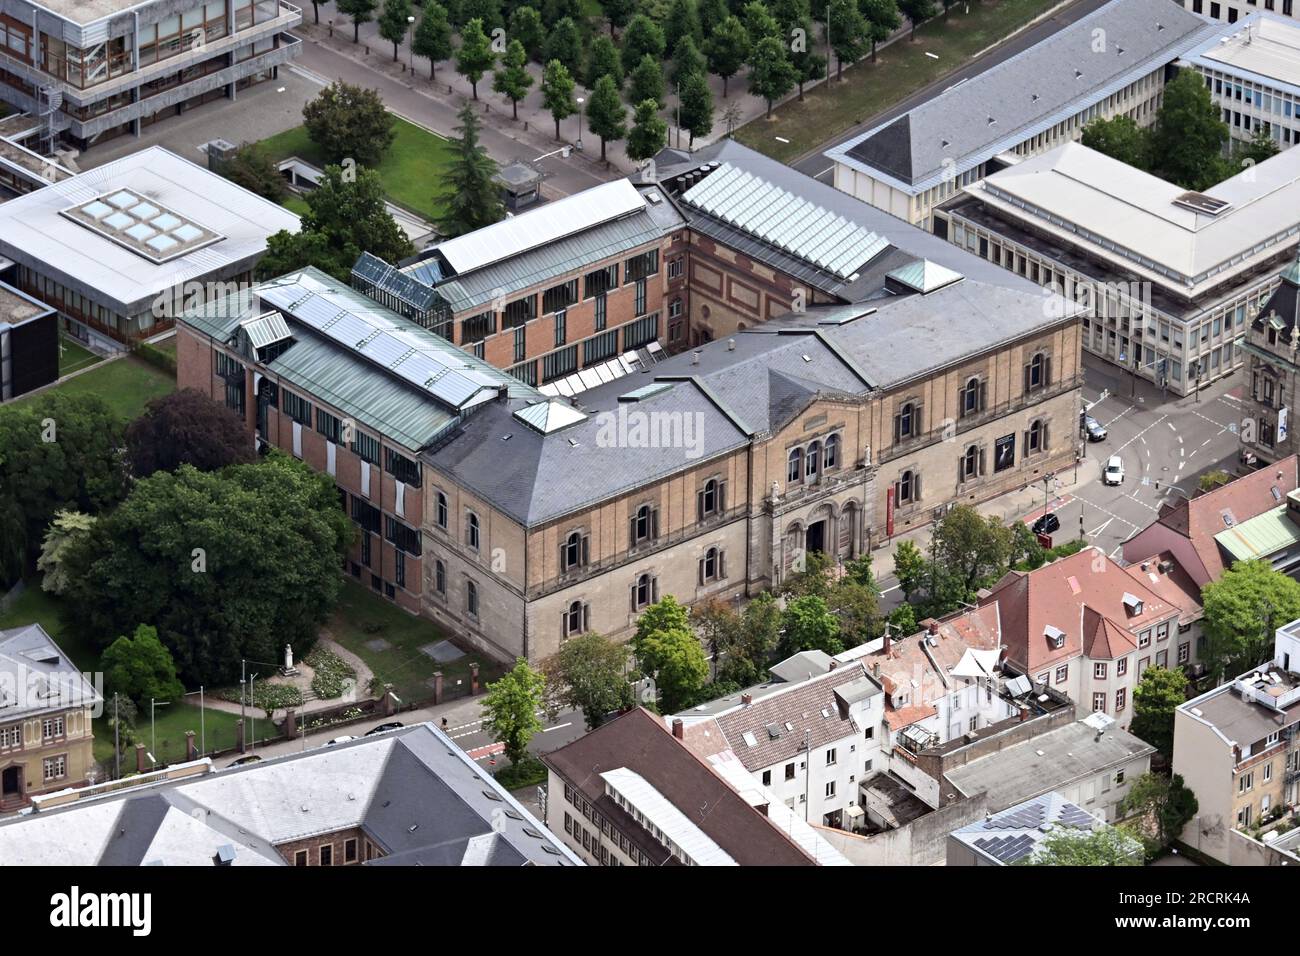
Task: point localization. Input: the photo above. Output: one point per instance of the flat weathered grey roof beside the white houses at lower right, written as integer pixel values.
(1069, 754)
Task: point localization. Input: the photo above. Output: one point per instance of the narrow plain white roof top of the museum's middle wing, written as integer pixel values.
(541, 226)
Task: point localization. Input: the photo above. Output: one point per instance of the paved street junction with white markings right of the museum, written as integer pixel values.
(1165, 443)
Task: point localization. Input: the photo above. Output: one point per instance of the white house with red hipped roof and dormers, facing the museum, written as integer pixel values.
(1090, 629)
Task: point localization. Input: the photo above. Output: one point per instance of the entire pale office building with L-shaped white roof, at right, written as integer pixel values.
(1169, 276)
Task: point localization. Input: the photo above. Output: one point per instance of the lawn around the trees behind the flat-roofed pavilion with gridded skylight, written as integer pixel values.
(411, 170)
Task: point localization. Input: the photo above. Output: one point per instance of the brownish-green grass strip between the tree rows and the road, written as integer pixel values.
(903, 68)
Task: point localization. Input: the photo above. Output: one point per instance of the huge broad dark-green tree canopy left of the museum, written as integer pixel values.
(226, 565)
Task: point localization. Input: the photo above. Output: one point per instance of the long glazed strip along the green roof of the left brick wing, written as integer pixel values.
(382, 338)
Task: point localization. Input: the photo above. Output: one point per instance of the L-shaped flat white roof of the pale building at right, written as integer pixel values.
(1124, 214)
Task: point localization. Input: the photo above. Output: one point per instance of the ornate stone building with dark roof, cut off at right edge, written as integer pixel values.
(1272, 344)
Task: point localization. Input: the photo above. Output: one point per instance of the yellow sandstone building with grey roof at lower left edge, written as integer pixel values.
(46, 711)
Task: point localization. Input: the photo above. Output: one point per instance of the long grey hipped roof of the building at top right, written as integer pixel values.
(1051, 81)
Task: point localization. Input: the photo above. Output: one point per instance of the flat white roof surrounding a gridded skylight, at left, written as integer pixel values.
(37, 232)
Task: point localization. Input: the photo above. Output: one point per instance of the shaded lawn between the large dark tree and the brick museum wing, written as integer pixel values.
(362, 618)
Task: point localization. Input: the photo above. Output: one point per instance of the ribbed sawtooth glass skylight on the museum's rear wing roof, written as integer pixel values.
(791, 223)
